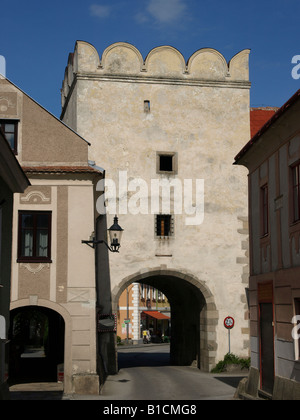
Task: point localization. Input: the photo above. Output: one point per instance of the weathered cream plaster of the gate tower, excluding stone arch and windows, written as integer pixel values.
(206, 123)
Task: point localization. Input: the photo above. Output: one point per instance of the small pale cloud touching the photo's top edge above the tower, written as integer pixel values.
(167, 11)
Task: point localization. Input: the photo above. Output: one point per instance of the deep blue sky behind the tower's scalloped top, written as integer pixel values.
(36, 38)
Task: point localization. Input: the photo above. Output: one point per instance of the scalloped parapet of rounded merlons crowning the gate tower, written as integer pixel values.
(165, 64)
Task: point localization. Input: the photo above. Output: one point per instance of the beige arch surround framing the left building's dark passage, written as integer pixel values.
(57, 312)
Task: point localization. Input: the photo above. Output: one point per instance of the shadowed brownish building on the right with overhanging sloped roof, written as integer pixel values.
(272, 158)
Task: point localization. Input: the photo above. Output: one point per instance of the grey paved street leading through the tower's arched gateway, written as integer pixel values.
(145, 375)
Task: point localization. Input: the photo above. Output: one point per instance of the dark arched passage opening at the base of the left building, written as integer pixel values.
(36, 344)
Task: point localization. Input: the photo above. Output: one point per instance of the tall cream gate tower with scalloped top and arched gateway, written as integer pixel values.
(162, 119)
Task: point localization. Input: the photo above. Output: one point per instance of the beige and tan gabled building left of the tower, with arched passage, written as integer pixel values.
(53, 291)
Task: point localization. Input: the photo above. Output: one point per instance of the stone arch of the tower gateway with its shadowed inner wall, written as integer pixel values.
(194, 314)
